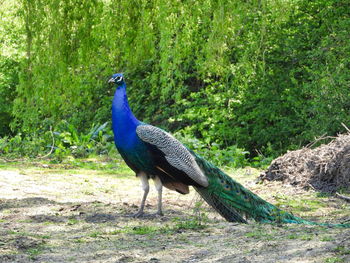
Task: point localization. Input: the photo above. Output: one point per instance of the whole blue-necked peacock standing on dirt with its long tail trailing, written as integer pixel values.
(153, 153)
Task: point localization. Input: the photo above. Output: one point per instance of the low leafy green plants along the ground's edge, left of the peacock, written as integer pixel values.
(66, 141)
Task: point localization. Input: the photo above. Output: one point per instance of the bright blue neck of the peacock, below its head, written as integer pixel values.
(124, 122)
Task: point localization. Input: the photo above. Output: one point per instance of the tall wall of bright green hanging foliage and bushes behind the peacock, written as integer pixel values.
(265, 76)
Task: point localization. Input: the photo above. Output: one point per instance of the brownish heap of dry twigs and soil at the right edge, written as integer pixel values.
(325, 168)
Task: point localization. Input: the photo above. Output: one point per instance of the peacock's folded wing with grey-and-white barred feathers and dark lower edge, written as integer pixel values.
(169, 153)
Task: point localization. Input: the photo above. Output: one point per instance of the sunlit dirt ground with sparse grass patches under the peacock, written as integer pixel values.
(50, 214)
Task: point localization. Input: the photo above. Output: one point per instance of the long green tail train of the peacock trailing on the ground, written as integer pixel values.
(234, 202)
